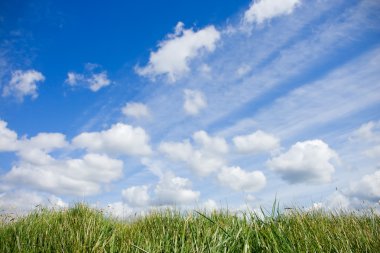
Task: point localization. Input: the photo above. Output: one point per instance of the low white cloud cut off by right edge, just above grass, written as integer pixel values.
(368, 187)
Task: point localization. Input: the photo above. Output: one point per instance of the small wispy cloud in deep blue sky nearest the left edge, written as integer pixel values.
(23, 83)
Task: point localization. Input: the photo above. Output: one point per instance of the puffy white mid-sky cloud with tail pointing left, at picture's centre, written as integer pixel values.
(203, 159)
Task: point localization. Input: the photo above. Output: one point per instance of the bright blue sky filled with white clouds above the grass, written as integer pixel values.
(131, 106)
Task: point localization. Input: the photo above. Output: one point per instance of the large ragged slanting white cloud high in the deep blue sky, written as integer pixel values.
(175, 53)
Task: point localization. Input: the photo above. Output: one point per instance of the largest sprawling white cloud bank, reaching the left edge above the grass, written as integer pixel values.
(38, 169)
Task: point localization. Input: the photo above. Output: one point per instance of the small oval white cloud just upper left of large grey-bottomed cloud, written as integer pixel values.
(256, 142)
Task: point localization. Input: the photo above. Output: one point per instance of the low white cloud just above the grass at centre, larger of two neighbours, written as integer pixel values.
(172, 190)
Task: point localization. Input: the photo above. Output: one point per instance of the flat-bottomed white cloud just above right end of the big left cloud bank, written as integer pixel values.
(119, 139)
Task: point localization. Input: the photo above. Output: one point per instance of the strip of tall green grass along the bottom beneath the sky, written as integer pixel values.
(82, 229)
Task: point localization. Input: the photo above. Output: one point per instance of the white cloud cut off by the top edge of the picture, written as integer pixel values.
(262, 10)
